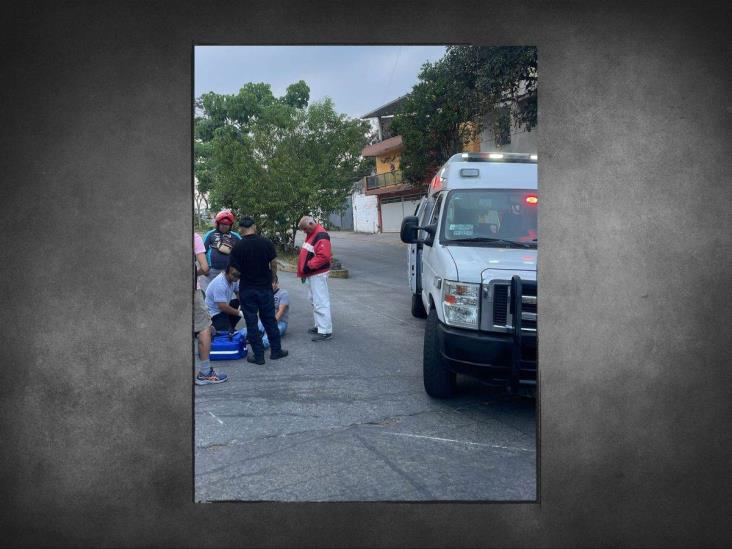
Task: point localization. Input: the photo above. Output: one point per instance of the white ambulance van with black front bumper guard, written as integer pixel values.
(472, 270)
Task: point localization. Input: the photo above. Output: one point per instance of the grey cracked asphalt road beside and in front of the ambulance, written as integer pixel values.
(348, 419)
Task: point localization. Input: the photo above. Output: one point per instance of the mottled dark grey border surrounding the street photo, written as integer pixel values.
(634, 146)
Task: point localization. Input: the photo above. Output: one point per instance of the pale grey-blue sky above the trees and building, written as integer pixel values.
(358, 79)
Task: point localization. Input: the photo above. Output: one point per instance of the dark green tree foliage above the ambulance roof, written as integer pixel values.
(454, 98)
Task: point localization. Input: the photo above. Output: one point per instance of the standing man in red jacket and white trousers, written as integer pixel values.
(313, 266)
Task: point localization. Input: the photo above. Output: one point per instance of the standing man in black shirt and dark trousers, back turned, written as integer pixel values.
(254, 257)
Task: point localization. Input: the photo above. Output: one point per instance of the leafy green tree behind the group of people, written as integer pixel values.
(276, 159)
